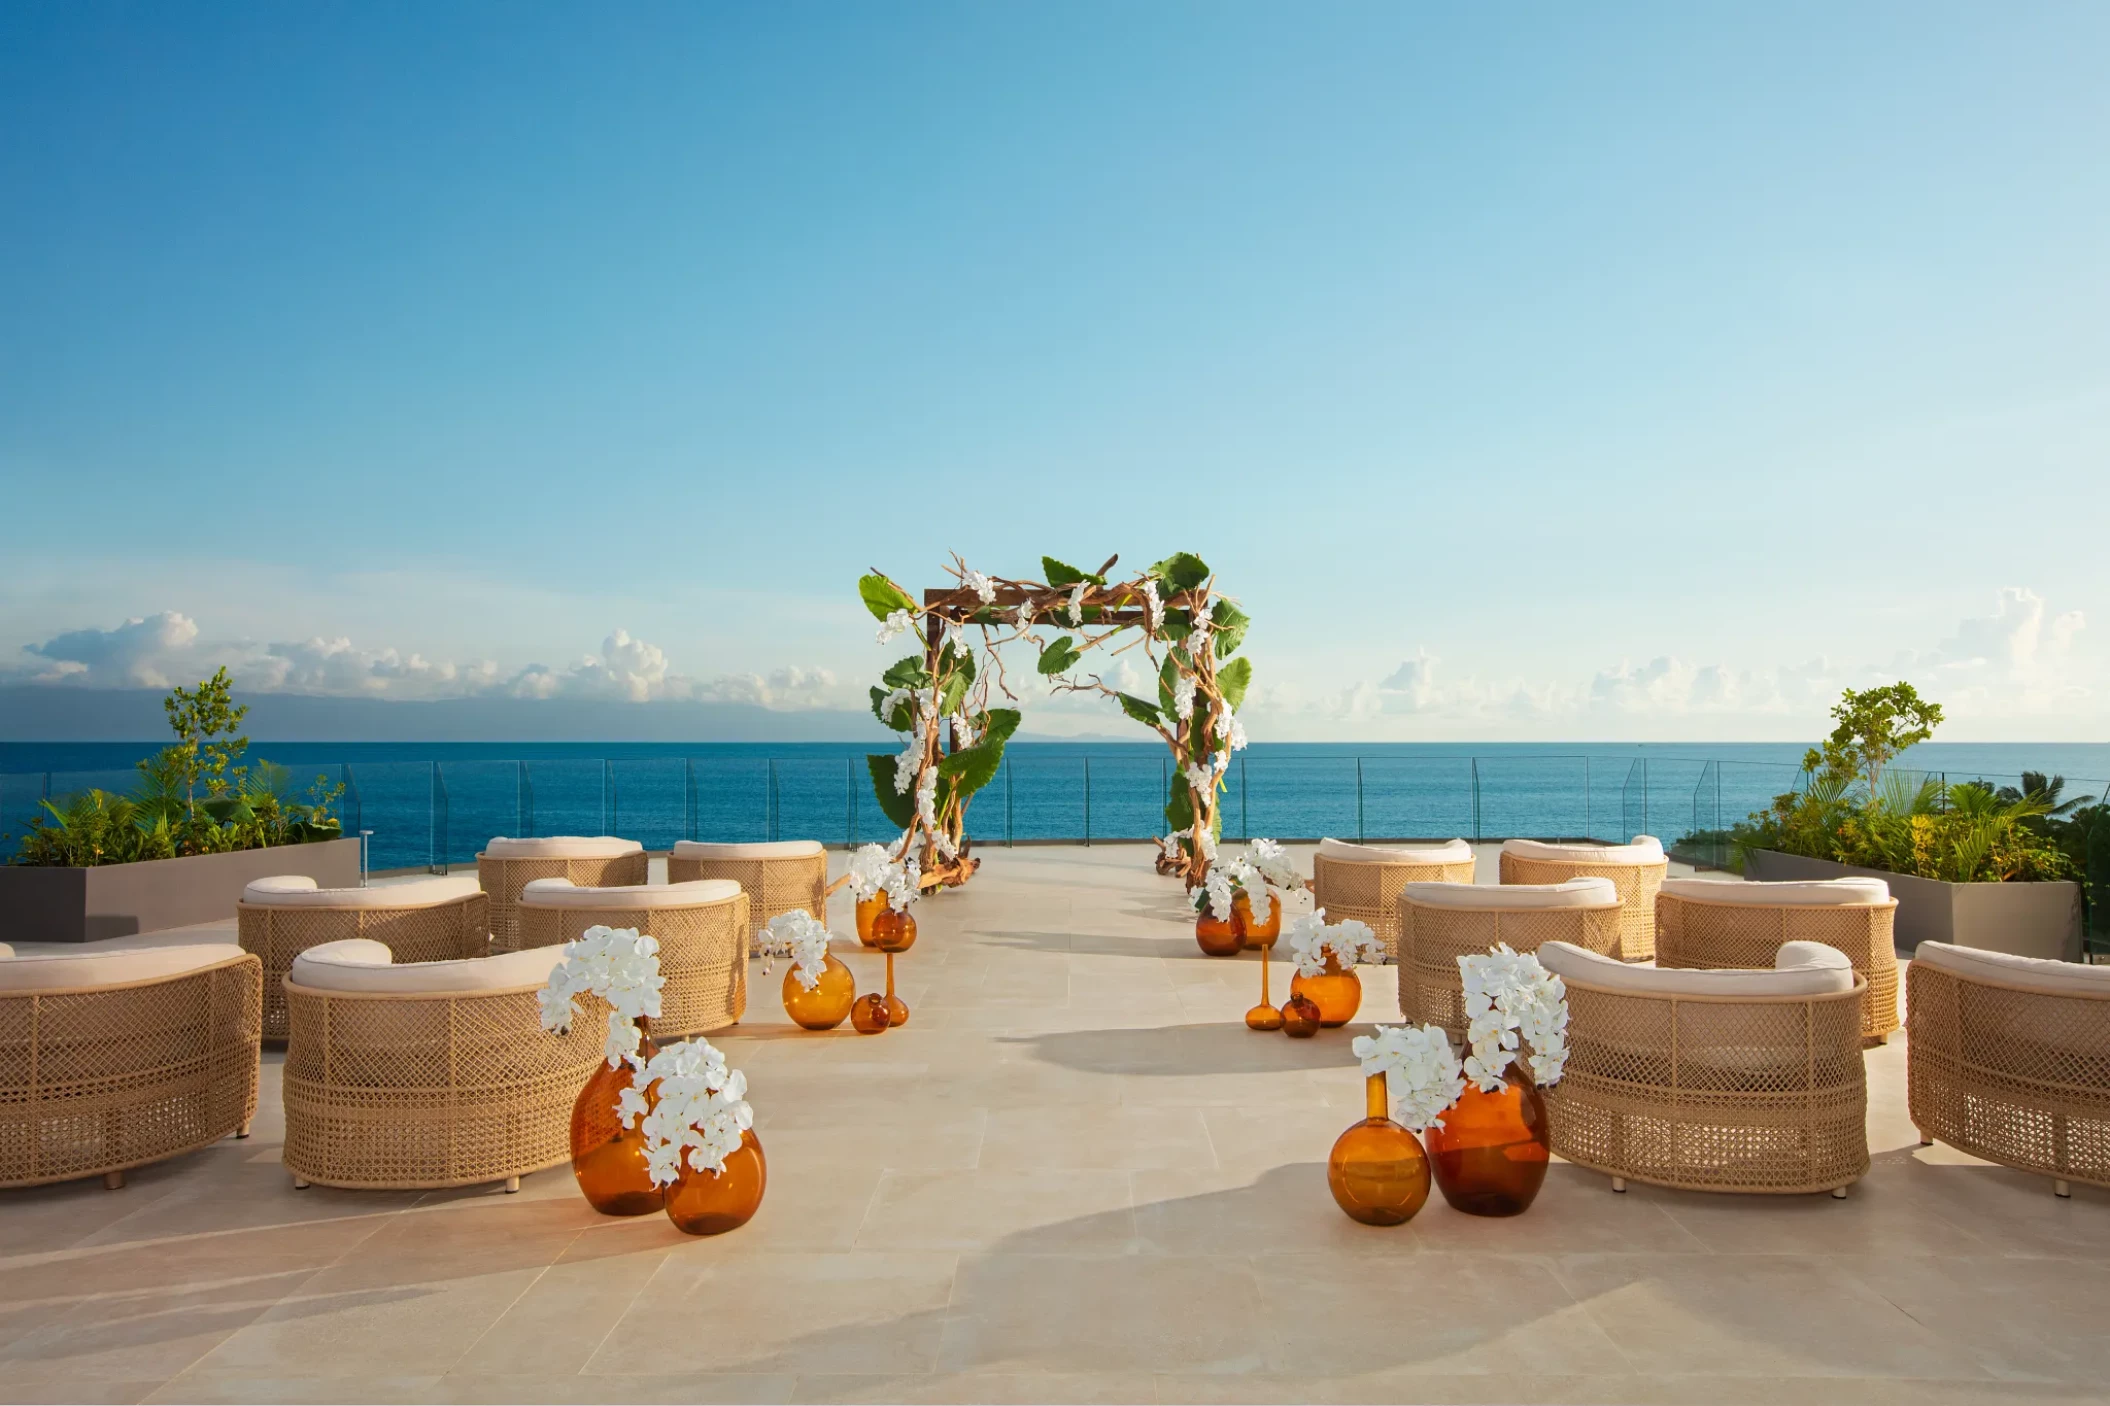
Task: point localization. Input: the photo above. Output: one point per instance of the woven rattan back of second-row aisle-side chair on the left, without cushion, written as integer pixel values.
(704, 955)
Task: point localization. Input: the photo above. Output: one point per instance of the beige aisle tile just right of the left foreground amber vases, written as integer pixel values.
(1020, 1213)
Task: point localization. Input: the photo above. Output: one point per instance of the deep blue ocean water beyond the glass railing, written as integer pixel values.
(431, 805)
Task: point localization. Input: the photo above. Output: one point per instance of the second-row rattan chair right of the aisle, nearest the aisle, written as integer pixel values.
(1440, 924)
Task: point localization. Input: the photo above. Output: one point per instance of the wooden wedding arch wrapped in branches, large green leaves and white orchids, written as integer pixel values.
(955, 704)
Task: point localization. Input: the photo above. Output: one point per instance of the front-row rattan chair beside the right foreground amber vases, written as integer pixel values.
(1714, 1080)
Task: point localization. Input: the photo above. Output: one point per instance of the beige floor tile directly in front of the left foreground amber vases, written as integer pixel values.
(866, 1312)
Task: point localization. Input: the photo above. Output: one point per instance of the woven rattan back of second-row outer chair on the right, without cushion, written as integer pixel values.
(1710, 936)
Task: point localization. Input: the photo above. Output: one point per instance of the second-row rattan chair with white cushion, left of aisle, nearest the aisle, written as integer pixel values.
(702, 930)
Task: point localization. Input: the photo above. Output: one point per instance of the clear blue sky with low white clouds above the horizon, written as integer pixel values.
(1529, 373)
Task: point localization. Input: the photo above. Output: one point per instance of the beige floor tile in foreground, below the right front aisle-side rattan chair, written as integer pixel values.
(1754, 1314)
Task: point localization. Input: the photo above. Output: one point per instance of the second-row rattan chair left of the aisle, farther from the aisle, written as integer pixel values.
(423, 921)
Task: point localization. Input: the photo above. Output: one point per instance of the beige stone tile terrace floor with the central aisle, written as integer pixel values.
(1073, 1177)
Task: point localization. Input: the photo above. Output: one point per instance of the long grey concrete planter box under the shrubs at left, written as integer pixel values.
(117, 900)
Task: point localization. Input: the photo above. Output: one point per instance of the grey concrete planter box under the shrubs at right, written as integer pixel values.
(2022, 919)
